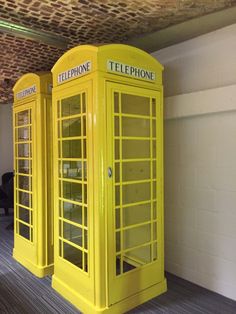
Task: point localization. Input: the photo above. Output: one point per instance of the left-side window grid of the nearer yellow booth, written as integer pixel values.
(72, 166)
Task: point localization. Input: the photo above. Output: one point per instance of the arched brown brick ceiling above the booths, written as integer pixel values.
(84, 21)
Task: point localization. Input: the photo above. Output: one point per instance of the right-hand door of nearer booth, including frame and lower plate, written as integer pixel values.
(134, 139)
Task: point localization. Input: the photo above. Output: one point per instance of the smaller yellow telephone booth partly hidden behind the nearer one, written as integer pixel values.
(33, 232)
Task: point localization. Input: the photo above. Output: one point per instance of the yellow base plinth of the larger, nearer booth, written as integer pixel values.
(117, 308)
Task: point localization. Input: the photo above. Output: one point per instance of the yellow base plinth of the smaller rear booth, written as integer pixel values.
(34, 269)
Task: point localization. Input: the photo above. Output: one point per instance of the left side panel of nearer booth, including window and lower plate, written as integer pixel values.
(72, 197)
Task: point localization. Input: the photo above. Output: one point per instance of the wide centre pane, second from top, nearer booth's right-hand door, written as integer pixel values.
(135, 127)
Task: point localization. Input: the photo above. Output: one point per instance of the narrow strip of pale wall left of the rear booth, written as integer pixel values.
(6, 139)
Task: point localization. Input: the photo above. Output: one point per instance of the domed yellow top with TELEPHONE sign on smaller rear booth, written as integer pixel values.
(31, 84)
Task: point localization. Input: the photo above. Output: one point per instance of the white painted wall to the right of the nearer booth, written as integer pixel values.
(200, 160)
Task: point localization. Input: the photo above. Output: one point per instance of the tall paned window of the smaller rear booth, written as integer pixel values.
(24, 215)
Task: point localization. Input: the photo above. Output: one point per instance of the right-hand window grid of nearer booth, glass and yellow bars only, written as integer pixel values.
(135, 181)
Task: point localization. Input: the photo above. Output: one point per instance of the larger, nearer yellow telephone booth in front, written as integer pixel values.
(108, 178)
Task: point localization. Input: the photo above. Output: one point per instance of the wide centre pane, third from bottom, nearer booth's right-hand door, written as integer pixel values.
(136, 214)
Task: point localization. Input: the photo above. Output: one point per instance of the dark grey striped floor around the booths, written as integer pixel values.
(22, 293)
